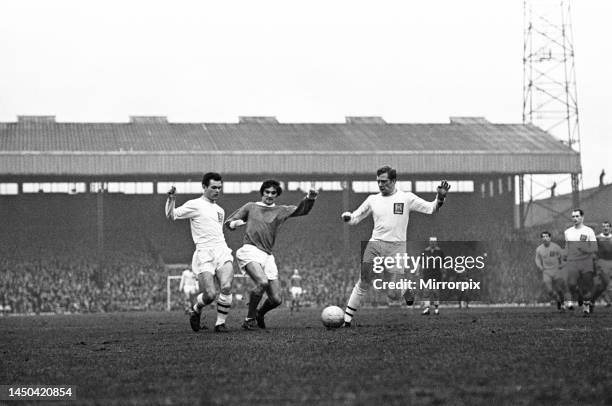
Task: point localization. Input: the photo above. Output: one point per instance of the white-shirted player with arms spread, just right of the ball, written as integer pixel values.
(390, 210)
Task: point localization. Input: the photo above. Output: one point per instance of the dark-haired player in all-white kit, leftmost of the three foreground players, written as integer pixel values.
(212, 257)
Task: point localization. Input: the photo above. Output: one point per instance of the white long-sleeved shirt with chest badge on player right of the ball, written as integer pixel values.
(391, 213)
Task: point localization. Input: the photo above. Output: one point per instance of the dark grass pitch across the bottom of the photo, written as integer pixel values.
(395, 356)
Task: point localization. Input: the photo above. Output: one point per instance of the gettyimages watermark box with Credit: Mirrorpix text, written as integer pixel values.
(442, 270)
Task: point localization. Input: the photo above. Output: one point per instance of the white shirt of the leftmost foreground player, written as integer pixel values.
(206, 220)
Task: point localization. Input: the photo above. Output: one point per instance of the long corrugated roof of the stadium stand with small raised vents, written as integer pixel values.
(39, 146)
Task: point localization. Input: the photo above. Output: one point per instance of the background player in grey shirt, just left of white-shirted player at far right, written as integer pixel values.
(548, 260)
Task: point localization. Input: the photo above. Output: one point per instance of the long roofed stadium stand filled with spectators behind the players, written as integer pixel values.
(93, 250)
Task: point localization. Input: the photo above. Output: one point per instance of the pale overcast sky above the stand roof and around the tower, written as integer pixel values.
(301, 61)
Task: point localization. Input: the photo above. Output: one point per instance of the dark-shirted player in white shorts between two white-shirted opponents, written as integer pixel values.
(263, 220)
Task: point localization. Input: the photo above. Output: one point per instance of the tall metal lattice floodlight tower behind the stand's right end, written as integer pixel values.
(550, 98)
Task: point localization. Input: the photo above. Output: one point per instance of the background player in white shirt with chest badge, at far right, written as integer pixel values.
(580, 245)
